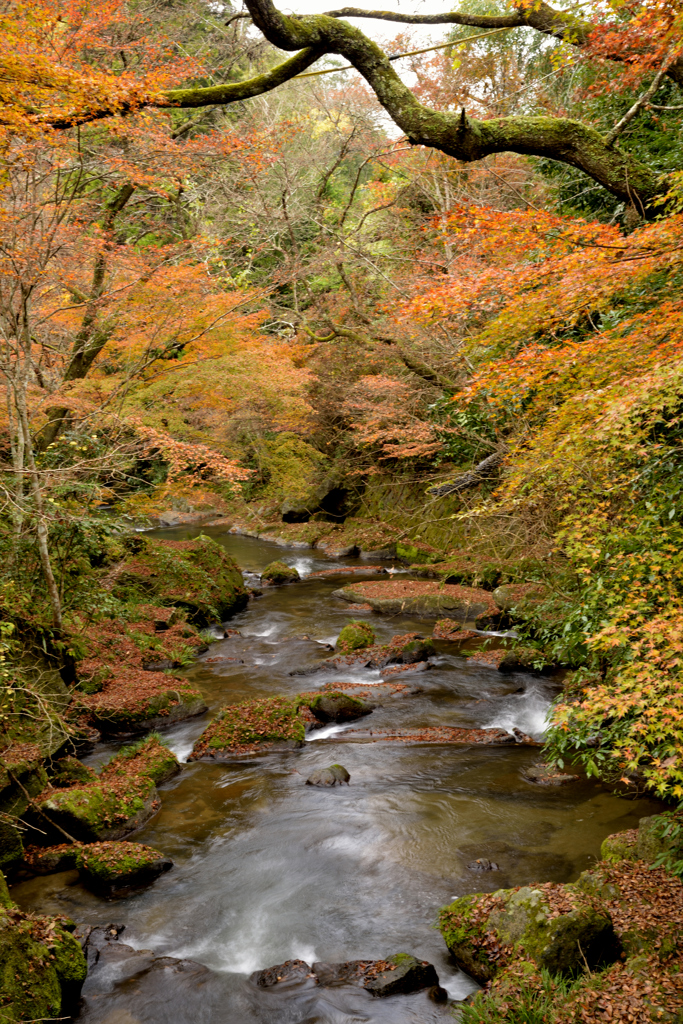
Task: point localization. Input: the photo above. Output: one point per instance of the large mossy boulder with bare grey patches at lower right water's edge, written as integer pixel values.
(557, 927)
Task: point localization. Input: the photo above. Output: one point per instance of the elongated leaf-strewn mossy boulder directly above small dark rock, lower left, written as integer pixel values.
(121, 799)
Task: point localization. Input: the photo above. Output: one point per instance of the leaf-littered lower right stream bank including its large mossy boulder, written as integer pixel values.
(606, 948)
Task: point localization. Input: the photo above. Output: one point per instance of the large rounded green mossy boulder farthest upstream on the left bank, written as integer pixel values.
(198, 576)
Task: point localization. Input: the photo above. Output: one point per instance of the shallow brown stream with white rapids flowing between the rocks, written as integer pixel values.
(268, 869)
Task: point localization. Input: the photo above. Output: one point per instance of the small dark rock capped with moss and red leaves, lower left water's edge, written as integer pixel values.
(108, 867)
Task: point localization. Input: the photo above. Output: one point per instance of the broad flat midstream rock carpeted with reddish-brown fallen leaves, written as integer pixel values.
(424, 599)
